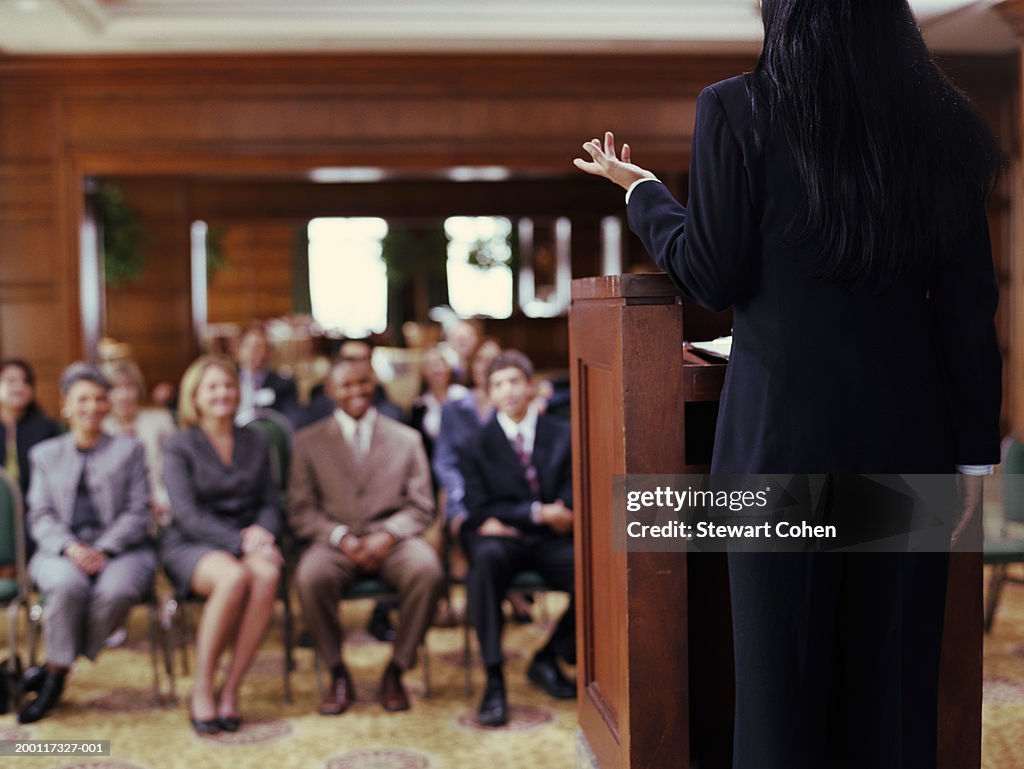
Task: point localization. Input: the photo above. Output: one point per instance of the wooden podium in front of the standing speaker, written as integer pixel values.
(654, 631)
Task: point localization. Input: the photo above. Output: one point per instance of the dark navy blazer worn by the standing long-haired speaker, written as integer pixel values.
(824, 378)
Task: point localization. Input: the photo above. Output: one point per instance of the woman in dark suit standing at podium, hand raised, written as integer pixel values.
(837, 202)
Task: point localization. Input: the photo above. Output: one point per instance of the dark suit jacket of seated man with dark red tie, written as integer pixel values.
(496, 481)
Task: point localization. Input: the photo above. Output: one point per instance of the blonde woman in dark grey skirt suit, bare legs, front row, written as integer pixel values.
(222, 541)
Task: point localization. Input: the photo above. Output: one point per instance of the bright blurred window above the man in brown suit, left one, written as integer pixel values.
(348, 277)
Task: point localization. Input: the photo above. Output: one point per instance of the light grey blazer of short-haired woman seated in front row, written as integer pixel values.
(117, 481)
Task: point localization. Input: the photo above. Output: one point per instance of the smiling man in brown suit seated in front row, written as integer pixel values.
(360, 493)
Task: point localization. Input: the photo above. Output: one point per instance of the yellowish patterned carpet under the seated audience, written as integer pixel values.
(112, 700)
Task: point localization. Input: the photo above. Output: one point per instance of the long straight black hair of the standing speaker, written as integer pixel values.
(893, 157)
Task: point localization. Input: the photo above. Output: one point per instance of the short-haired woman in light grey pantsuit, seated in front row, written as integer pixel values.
(90, 516)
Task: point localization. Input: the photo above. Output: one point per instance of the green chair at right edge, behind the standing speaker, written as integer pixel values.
(1001, 554)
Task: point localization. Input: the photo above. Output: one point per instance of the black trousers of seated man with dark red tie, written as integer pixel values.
(494, 563)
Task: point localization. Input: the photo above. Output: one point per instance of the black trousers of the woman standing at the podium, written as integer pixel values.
(837, 659)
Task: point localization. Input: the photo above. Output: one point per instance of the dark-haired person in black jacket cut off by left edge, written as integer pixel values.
(23, 424)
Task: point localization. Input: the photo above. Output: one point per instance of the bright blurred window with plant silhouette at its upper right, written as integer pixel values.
(480, 271)
